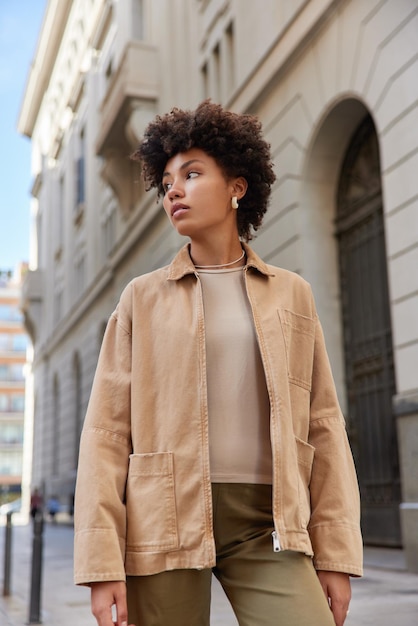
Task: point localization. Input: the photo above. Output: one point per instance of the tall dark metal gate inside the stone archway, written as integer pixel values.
(369, 364)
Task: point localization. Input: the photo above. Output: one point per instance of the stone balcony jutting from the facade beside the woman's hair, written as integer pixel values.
(128, 106)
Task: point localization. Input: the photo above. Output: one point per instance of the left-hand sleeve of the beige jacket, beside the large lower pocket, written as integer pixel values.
(99, 514)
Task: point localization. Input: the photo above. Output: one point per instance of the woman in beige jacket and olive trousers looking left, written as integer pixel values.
(213, 440)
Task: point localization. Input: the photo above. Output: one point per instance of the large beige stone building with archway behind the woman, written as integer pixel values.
(334, 83)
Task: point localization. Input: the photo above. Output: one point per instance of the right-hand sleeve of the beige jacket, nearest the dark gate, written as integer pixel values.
(335, 504)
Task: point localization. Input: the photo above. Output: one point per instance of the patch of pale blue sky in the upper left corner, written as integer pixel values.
(20, 23)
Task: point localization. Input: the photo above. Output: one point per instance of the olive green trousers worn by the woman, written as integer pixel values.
(265, 588)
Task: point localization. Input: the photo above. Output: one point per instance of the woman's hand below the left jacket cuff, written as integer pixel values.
(103, 596)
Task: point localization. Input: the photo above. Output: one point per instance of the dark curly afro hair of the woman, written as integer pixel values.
(235, 142)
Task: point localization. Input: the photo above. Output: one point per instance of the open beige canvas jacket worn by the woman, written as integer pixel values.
(143, 497)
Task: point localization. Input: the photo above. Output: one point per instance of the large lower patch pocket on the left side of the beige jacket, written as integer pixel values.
(150, 503)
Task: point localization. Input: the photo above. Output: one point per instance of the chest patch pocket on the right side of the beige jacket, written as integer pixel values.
(299, 338)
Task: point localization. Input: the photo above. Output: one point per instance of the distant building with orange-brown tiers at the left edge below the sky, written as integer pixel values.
(13, 350)
